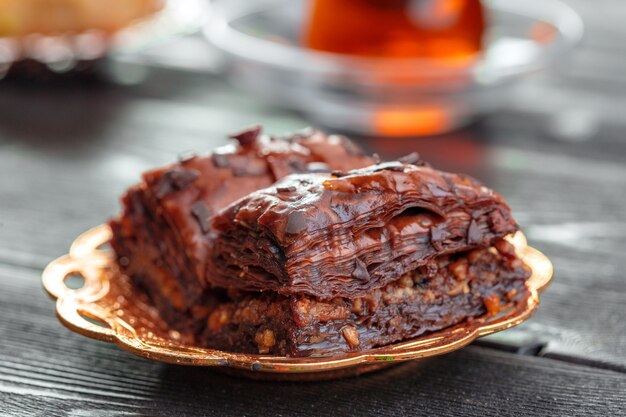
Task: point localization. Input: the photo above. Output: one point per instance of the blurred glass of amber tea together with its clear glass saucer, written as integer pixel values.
(389, 67)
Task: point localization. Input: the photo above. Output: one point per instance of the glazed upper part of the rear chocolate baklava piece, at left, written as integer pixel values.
(161, 233)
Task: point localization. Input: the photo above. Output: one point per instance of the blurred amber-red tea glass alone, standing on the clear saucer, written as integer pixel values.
(448, 30)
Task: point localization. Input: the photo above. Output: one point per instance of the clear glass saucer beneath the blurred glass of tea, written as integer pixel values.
(394, 97)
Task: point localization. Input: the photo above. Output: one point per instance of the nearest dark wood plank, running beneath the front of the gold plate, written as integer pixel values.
(47, 370)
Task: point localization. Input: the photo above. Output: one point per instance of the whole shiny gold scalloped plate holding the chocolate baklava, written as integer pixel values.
(128, 320)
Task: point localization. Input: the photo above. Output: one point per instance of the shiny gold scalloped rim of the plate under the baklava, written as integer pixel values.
(85, 258)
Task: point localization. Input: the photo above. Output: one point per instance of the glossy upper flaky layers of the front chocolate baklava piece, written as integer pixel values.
(345, 234)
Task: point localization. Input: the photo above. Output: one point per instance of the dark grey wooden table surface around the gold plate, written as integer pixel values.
(68, 149)
